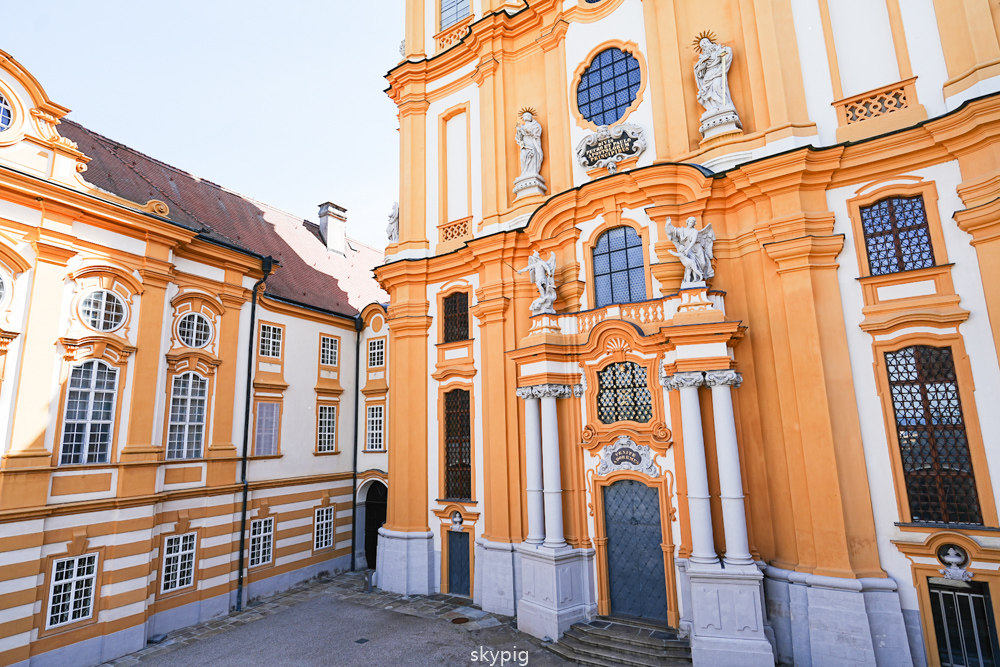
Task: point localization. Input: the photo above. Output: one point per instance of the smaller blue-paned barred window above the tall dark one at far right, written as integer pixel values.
(896, 235)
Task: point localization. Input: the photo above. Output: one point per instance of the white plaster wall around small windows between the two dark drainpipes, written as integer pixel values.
(298, 413)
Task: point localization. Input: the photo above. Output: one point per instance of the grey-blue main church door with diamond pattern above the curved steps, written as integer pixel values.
(636, 577)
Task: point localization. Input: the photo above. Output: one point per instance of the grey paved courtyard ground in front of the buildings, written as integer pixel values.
(334, 622)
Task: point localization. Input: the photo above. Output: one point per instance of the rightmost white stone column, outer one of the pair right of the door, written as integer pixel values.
(730, 480)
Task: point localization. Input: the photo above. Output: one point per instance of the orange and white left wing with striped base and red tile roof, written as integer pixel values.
(191, 381)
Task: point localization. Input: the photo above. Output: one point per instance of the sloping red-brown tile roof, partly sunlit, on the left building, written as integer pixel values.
(309, 274)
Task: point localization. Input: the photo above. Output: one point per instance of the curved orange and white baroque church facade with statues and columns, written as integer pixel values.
(691, 308)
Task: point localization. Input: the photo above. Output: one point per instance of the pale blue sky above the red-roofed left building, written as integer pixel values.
(279, 101)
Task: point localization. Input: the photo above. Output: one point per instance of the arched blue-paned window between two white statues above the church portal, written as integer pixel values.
(619, 271)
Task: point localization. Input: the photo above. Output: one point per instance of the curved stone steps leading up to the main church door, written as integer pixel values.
(614, 643)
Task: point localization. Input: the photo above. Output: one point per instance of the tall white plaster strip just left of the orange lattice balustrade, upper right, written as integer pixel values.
(816, 68)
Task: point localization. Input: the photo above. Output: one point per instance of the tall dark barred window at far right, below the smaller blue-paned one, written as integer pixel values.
(937, 464)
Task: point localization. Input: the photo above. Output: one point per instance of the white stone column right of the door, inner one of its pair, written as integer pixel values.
(695, 467)
